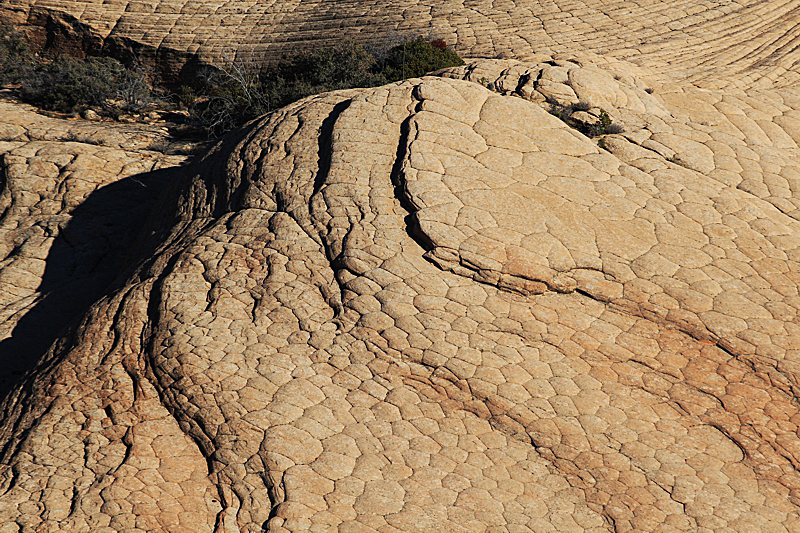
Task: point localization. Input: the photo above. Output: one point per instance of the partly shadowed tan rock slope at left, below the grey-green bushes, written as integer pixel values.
(73, 194)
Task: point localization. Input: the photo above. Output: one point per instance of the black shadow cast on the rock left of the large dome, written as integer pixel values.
(90, 253)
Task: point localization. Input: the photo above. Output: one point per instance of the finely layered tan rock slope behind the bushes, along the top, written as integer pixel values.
(739, 42)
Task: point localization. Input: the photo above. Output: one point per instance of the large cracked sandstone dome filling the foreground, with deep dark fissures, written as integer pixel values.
(435, 307)
